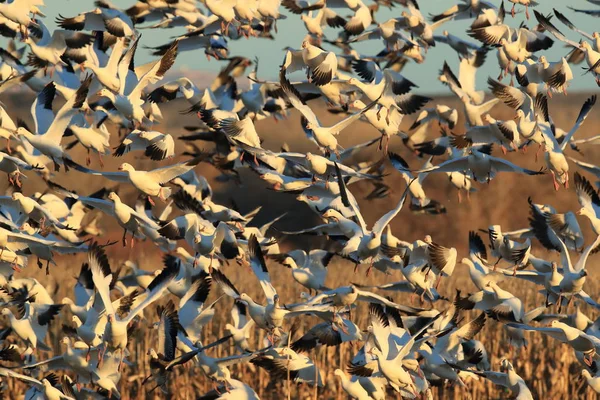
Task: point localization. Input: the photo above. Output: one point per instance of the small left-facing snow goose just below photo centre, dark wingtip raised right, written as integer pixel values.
(308, 269)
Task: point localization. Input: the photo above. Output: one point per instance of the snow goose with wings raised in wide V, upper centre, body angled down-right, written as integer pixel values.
(325, 137)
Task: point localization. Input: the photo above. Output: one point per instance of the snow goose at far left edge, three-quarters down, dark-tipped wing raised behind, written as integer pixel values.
(32, 326)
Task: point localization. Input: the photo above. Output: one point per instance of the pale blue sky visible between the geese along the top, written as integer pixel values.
(291, 32)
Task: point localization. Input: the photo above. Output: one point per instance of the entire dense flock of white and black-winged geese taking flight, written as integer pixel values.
(86, 79)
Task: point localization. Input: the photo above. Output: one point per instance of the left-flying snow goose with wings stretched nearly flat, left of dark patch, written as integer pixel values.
(148, 182)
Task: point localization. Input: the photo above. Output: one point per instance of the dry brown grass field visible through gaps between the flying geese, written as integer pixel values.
(549, 368)
